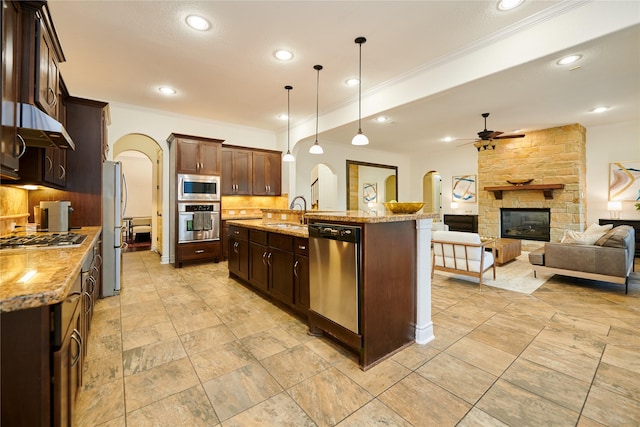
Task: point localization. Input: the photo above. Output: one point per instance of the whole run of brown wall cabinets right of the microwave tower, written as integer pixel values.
(250, 172)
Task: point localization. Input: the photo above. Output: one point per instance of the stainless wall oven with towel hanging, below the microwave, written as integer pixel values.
(198, 222)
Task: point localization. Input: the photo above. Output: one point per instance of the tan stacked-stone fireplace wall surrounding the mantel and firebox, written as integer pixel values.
(548, 156)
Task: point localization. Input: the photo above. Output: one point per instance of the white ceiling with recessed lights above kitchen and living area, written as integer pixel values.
(122, 51)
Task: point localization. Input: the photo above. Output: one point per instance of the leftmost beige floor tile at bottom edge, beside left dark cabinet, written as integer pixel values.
(97, 405)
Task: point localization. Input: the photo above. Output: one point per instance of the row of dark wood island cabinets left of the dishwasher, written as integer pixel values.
(273, 263)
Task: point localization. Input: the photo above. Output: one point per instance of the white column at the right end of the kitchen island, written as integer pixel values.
(424, 325)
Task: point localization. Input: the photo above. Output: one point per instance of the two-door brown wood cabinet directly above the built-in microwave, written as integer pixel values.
(196, 155)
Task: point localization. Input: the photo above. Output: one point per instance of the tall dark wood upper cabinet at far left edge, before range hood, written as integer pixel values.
(11, 145)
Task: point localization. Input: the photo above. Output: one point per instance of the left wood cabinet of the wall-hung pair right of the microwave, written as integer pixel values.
(237, 171)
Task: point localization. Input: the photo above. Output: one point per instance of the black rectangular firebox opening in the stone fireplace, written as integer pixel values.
(525, 224)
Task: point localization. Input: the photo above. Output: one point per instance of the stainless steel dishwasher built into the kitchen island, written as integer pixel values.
(334, 273)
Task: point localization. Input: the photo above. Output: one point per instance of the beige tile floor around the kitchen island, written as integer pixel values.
(191, 347)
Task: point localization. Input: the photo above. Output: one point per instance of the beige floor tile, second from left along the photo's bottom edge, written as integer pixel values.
(190, 407)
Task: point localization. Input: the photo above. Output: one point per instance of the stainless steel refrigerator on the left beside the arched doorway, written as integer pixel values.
(113, 205)
